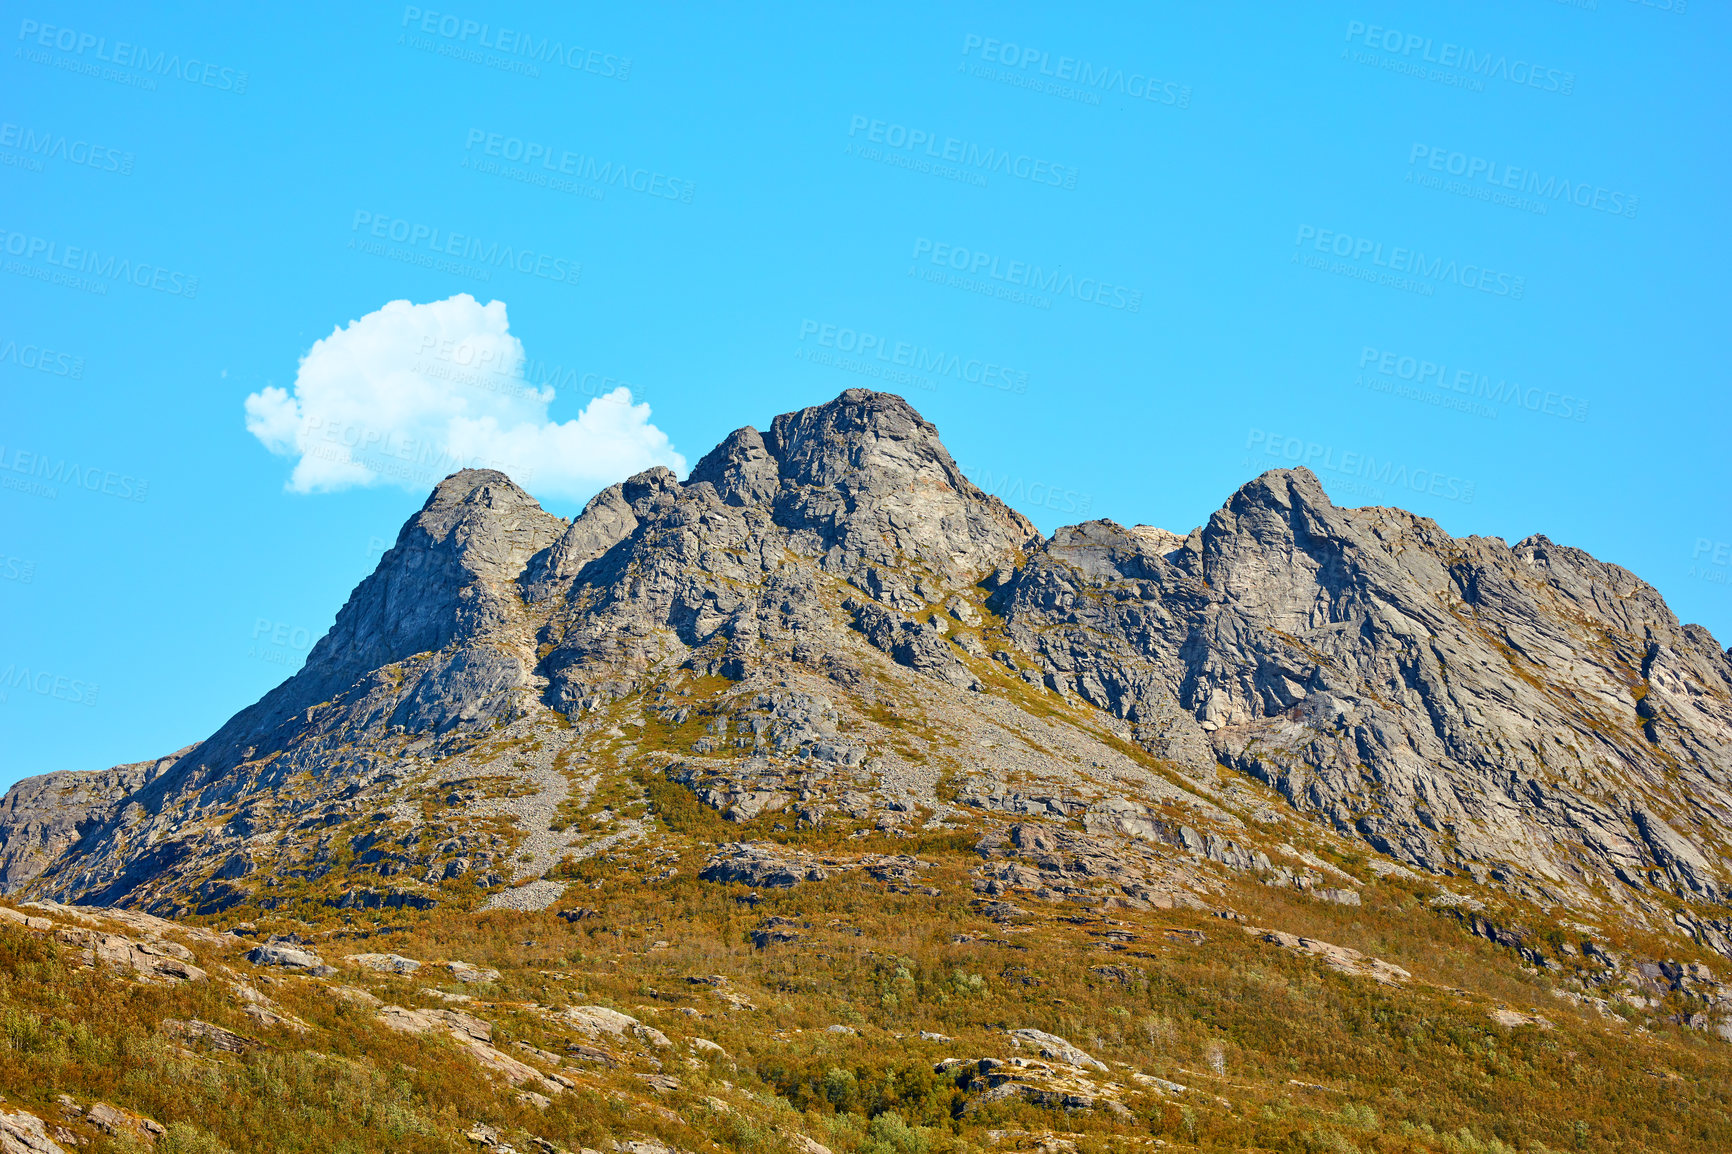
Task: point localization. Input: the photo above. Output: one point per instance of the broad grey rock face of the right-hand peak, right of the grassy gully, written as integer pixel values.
(1451, 701)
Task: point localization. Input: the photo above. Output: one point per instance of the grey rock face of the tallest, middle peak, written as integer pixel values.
(737, 561)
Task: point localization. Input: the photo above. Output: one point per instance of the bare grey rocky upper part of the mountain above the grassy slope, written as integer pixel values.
(1520, 715)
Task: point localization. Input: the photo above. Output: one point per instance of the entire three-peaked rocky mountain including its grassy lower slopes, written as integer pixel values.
(912, 829)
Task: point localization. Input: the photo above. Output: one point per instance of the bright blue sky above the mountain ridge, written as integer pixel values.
(1468, 259)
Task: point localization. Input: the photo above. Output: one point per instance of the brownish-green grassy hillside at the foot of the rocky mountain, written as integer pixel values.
(837, 1034)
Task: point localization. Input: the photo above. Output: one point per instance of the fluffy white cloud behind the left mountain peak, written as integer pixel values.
(415, 392)
